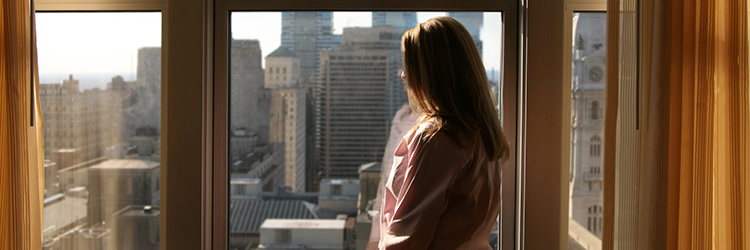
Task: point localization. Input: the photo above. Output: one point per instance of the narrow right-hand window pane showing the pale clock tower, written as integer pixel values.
(587, 130)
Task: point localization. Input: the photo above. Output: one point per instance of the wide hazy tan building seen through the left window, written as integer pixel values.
(88, 120)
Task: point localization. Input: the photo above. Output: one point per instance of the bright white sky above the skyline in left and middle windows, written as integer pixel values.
(101, 45)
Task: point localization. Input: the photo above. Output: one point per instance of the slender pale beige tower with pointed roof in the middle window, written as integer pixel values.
(288, 110)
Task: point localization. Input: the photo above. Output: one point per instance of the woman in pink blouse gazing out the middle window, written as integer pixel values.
(443, 191)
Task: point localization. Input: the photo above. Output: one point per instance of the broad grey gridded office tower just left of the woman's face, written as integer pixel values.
(359, 92)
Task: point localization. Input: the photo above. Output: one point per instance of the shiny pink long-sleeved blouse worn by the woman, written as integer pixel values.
(440, 195)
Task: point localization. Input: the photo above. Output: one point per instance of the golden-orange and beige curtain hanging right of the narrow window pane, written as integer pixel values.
(676, 176)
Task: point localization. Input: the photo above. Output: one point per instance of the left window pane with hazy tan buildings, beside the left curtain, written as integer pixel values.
(100, 90)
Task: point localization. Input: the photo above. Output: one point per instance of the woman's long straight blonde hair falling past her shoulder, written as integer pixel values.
(447, 82)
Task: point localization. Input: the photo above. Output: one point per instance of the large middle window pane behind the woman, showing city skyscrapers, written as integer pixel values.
(317, 106)
